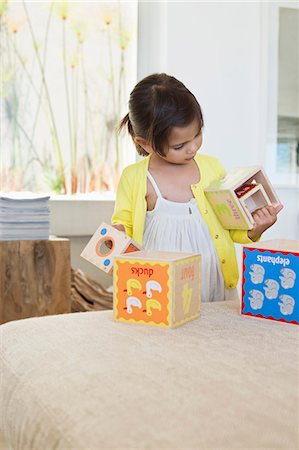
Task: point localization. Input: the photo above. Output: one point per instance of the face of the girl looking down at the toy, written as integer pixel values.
(184, 142)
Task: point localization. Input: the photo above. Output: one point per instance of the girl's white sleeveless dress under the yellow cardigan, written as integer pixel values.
(179, 227)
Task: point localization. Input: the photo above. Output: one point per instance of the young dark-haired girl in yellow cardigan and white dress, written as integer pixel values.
(160, 200)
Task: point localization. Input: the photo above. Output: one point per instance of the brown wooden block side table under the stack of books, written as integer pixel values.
(35, 278)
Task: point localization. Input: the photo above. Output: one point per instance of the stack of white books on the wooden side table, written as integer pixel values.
(24, 216)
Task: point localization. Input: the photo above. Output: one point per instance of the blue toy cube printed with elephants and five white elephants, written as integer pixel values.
(270, 287)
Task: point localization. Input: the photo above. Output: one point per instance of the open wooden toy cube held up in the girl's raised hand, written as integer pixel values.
(236, 196)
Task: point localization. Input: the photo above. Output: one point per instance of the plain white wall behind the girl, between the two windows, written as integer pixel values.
(214, 49)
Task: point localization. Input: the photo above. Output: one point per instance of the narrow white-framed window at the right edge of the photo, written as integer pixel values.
(282, 140)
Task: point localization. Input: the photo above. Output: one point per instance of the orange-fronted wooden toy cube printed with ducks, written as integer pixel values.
(157, 288)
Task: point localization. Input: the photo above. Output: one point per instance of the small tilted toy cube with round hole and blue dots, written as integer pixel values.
(107, 242)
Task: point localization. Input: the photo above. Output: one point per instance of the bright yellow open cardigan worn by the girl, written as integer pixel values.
(130, 210)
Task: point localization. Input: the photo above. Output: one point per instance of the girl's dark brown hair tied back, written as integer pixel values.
(158, 103)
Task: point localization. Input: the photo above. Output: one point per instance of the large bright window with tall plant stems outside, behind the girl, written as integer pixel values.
(66, 72)
